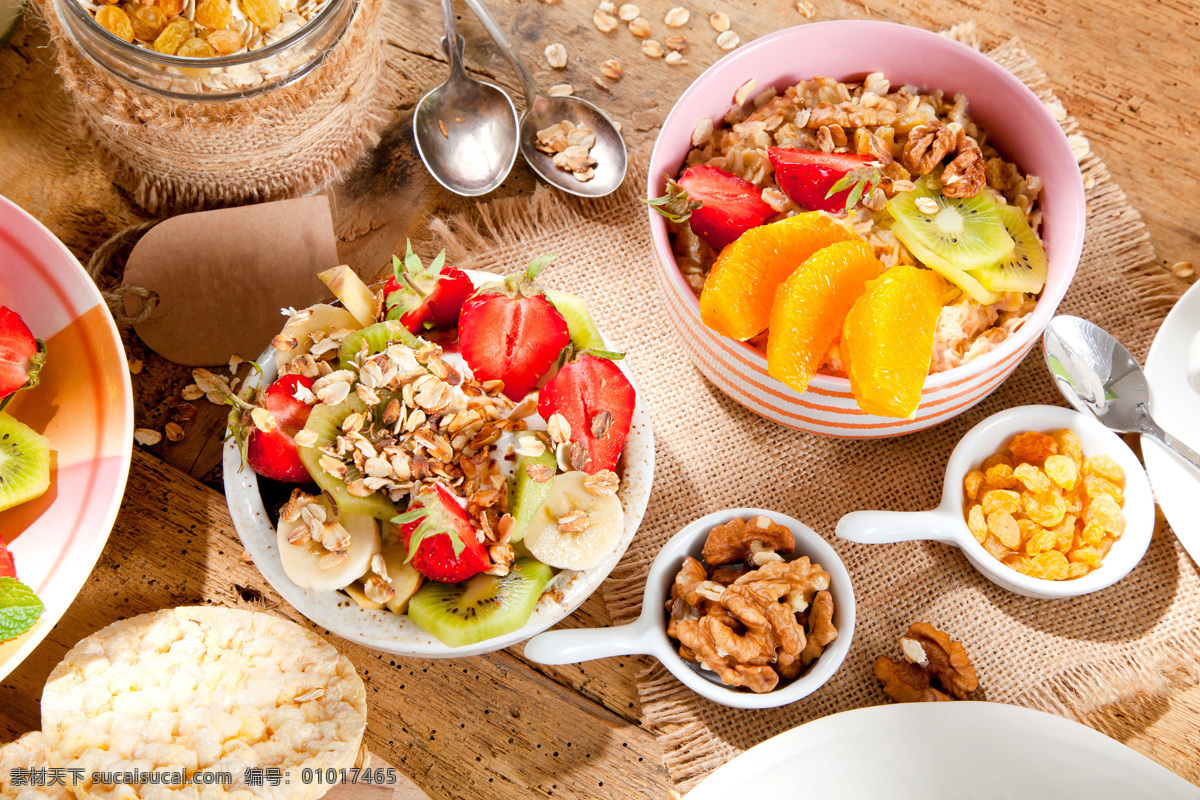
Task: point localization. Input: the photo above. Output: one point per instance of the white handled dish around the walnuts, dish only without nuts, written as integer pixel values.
(649, 634)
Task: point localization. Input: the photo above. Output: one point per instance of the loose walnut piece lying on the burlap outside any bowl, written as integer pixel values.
(934, 669)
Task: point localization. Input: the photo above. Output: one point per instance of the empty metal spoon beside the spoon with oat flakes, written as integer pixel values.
(466, 130)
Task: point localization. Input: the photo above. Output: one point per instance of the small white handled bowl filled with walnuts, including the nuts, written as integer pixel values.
(747, 607)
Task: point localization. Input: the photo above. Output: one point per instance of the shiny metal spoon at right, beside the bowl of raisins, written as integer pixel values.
(1097, 375)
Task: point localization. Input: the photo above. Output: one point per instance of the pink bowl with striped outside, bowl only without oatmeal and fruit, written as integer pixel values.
(1018, 124)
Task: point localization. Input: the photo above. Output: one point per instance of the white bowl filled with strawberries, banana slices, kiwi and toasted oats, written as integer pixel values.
(424, 557)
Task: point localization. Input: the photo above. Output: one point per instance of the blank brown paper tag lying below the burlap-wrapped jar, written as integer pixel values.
(223, 276)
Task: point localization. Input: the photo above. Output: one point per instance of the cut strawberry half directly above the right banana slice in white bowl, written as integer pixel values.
(596, 398)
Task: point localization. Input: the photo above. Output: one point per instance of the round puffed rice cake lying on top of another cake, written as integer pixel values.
(203, 689)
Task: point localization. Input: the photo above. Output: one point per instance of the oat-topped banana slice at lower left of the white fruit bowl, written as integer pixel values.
(311, 567)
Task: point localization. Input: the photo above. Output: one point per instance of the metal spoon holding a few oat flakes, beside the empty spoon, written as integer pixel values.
(543, 111)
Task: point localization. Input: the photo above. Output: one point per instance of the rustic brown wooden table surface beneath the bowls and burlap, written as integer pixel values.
(500, 725)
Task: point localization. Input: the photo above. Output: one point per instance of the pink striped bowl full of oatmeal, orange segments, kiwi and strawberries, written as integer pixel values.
(1000, 115)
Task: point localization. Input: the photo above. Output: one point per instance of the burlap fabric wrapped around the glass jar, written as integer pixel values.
(176, 155)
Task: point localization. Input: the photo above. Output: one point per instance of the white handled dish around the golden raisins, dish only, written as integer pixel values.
(947, 525)
